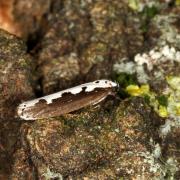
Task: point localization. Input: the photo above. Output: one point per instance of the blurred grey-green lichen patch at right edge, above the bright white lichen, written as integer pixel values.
(164, 29)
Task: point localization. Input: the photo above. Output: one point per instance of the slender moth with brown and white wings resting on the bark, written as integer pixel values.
(66, 101)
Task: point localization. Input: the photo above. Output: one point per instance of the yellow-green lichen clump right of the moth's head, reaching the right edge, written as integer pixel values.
(167, 104)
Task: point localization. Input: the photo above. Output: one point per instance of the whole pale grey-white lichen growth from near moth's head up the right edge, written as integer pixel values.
(166, 53)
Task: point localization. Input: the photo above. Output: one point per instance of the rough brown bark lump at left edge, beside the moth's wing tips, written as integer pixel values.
(15, 78)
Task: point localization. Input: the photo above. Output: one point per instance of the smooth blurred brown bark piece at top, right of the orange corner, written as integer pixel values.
(30, 15)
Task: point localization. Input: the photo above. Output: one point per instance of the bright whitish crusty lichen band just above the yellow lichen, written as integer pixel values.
(154, 58)
